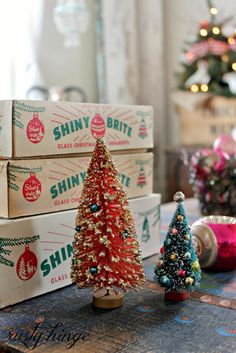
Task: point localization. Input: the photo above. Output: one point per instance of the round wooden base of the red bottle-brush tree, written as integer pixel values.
(103, 300)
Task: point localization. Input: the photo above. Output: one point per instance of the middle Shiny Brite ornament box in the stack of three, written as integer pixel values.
(36, 186)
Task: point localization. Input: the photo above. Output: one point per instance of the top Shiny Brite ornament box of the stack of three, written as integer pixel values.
(38, 128)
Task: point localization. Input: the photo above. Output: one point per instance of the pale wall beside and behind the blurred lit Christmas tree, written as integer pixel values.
(181, 19)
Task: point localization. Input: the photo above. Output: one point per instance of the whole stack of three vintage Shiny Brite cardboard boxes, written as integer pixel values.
(45, 149)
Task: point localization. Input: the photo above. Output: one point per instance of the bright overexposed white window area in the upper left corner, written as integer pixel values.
(18, 28)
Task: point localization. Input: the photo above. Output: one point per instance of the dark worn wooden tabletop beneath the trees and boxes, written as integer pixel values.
(65, 320)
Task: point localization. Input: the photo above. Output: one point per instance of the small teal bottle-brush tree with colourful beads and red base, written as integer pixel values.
(178, 269)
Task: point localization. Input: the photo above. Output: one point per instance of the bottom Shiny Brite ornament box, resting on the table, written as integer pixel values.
(35, 252)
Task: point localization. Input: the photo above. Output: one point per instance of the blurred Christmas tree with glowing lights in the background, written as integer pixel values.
(209, 62)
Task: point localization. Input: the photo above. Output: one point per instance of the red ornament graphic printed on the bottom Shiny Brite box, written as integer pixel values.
(26, 265)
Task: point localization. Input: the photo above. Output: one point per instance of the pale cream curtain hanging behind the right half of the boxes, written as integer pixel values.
(131, 63)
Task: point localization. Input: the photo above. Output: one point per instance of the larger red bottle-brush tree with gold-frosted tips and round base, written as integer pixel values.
(106, 252)
